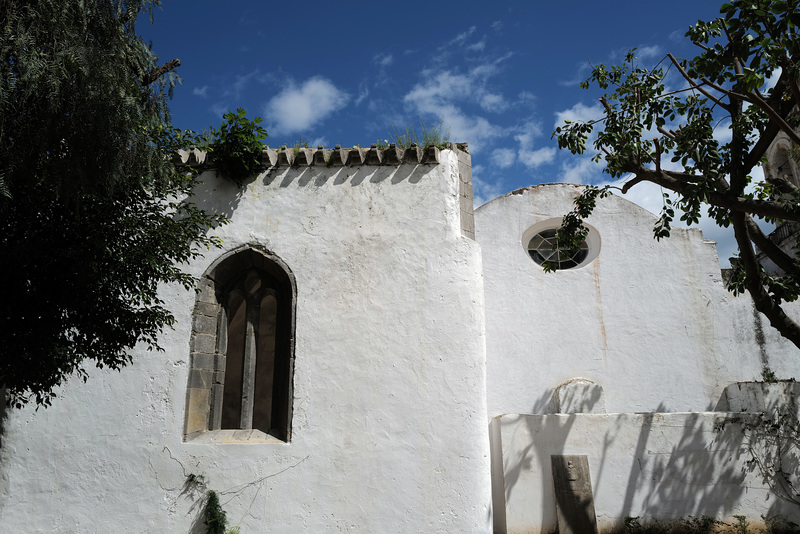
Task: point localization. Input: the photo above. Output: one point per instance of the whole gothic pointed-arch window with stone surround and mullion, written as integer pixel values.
(242, 350)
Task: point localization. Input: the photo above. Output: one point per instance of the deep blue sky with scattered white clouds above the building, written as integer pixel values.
(501, 76)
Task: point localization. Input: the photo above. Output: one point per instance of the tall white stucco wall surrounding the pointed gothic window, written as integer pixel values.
(389, 428)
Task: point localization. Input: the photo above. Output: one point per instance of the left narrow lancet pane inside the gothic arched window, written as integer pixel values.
(234, 361)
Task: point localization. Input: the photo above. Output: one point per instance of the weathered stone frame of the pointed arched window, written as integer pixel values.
(208, 344)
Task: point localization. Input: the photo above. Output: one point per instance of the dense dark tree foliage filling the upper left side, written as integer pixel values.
(94, 213)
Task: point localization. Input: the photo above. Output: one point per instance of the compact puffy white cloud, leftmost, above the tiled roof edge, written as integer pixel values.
(298, 108)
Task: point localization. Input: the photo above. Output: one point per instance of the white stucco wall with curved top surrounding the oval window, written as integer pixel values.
(648, 321)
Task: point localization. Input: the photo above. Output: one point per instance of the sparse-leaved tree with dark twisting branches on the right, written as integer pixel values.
(665, 124)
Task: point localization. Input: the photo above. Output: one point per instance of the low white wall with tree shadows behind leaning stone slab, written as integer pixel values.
(662, 465)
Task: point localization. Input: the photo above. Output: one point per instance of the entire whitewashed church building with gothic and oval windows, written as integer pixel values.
(367, 353)
